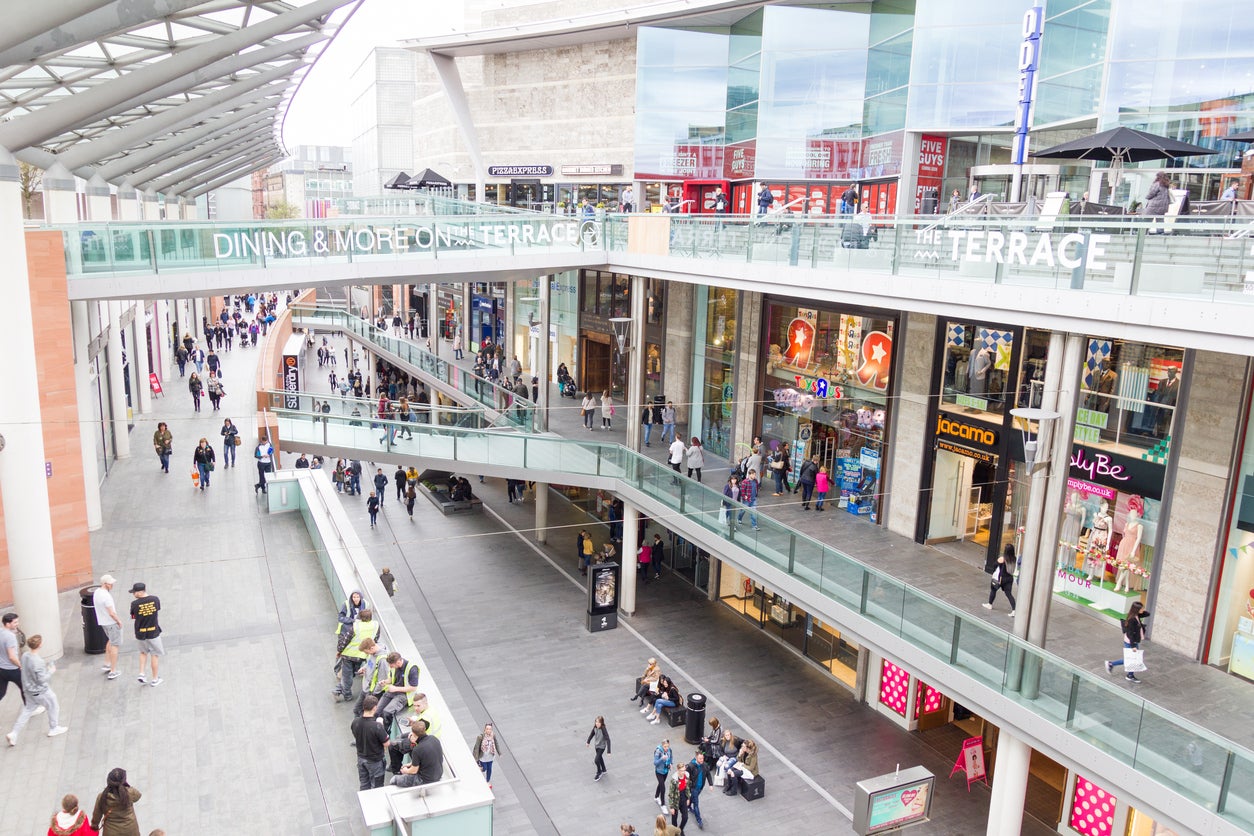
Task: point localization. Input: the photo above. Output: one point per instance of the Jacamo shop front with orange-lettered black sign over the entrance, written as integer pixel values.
(969, 506)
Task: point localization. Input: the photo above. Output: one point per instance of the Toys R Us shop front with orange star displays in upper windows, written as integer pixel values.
(826, 393)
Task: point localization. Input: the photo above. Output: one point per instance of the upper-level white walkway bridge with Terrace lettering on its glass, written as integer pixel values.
(1125, 279)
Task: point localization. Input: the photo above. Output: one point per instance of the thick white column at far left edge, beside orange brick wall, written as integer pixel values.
(23, 483)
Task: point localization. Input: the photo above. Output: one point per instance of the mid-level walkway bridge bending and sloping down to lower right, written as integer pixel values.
(1074, 715)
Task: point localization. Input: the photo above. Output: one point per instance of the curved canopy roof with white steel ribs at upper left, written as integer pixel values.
(167, 96)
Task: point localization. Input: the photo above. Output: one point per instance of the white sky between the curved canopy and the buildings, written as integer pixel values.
(320, 112)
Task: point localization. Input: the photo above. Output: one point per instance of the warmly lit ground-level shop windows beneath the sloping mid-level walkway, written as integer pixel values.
(818, 641)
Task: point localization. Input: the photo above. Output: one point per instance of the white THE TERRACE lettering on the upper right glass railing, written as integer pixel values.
(1038, 250)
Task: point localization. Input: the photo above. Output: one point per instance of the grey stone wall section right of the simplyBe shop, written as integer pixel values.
(1196, 530)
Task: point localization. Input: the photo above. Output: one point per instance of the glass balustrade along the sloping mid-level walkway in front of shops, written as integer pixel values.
(1193, 761)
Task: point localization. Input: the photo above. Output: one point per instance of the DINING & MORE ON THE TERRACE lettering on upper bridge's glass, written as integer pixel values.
(394, 240)
